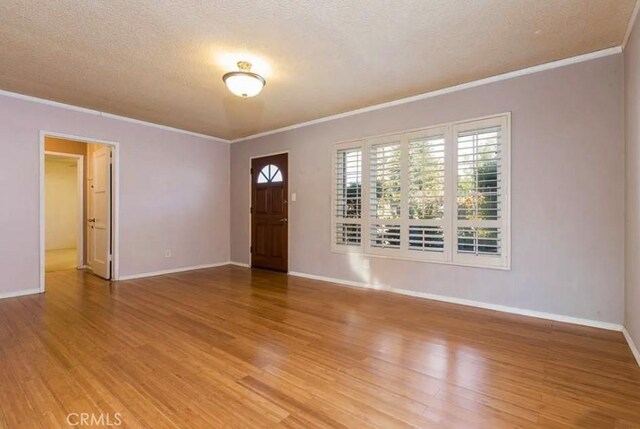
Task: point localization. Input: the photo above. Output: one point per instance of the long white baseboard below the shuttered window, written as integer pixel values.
(471, 303)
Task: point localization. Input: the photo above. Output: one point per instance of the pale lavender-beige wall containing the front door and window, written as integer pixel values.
(567, 193)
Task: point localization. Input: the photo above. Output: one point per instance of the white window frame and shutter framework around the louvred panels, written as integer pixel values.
(449, 222)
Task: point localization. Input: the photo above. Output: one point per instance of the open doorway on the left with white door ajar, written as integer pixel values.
(78, 205)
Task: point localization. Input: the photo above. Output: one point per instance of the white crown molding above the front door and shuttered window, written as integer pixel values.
(448, 90)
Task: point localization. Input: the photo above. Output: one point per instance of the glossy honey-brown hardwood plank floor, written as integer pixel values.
(232, 347)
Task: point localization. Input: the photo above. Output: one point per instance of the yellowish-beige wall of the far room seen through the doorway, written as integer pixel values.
(61, 203)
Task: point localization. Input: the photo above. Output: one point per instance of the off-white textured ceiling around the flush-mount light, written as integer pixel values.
(162, 60)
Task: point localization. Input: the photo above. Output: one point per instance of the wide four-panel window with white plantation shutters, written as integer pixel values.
(440, 194)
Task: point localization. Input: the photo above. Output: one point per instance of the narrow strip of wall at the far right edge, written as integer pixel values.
(632, 108)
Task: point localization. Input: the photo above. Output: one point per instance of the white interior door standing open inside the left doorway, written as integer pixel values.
(100, 213)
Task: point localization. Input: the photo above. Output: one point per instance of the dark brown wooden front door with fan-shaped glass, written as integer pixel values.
(269, 211)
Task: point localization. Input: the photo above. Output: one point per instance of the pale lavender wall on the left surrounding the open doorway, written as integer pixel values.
(174, 192)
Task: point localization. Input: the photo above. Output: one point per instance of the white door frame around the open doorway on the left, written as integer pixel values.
(115, 198)
